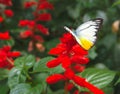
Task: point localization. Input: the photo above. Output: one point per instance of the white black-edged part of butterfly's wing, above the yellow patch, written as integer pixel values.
(88, 29)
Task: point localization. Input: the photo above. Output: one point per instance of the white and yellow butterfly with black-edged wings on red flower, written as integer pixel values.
(85, 34)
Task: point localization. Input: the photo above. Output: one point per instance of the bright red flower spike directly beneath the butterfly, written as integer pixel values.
(72, 58)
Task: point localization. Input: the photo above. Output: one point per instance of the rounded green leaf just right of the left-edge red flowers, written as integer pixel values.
(25, 62)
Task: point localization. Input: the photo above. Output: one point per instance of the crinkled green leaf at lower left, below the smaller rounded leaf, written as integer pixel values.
(16, 76)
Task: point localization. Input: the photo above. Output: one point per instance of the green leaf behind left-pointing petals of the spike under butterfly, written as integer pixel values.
(41, 66)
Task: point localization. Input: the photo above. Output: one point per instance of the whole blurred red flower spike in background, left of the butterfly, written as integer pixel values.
(34, 25)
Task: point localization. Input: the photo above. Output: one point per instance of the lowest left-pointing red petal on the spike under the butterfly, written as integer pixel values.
(55, 78)
